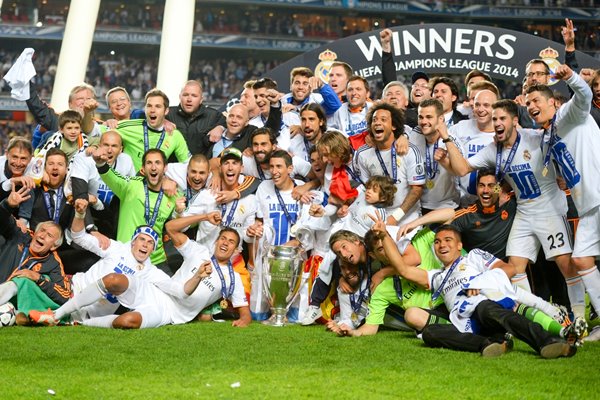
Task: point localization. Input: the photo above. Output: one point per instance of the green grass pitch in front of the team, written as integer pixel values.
(204, 360)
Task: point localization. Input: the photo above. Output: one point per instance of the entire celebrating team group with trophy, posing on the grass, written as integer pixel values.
(415, 209)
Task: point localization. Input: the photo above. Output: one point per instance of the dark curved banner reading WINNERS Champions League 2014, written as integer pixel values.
(435, 48)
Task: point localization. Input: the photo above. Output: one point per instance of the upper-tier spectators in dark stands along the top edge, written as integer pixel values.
(285, 22)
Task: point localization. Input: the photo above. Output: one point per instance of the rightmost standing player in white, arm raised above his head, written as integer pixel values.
(573, 138)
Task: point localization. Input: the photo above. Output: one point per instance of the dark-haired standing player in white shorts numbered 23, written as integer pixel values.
(541, 206)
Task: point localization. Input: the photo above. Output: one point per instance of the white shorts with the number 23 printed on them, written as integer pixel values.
(552, 232)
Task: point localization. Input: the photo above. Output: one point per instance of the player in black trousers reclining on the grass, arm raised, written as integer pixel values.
(478, 323)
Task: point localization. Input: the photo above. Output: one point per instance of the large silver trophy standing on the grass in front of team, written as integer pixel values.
(282, 276)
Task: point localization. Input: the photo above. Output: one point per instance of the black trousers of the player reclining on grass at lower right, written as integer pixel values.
(494, 321)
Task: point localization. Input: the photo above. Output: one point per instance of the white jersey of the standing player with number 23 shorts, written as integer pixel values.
(536, 194)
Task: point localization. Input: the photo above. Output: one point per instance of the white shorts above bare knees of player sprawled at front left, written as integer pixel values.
(146, 299)
